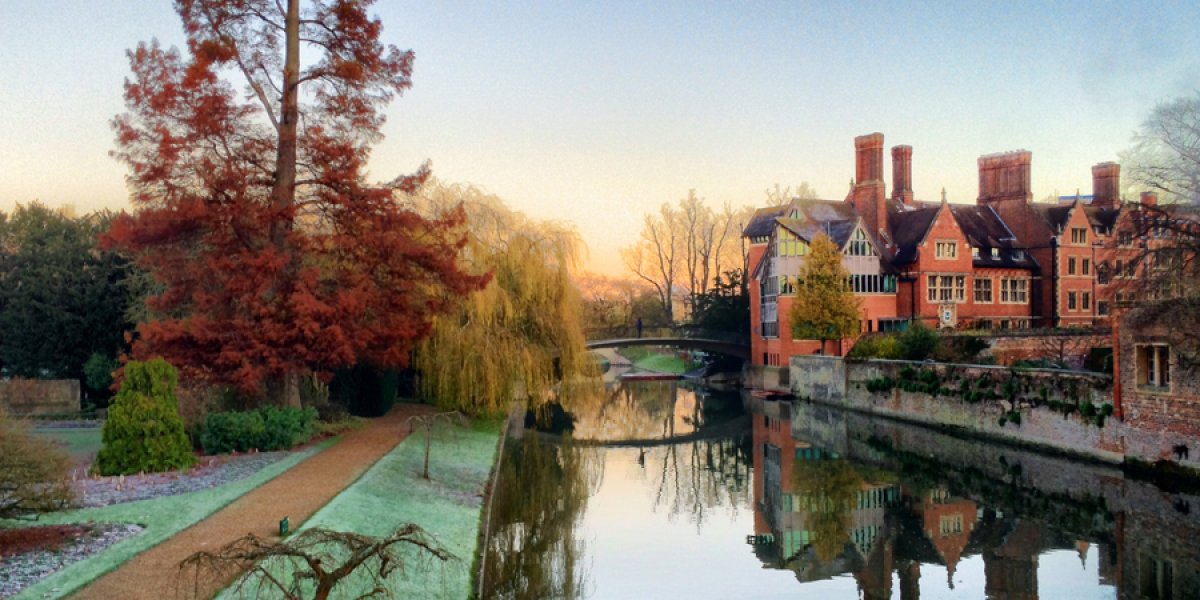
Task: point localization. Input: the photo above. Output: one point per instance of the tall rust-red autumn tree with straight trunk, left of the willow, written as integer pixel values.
(271, 253)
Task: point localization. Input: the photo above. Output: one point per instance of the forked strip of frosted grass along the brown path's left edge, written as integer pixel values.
(163, 519)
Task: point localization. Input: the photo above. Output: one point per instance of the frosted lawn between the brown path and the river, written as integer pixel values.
(448, 506)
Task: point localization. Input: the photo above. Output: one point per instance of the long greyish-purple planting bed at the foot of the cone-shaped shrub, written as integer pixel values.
(212, 472)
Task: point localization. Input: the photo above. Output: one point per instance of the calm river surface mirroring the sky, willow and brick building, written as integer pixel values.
(671, 491)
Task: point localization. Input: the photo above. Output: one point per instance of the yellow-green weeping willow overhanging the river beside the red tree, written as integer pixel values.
(524, 332)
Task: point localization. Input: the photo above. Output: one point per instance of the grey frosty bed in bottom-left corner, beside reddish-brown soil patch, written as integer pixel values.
(23, 571)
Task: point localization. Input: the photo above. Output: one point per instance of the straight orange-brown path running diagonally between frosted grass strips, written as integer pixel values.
(298, 494)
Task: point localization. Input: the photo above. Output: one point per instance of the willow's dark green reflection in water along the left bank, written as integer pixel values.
(541, 497)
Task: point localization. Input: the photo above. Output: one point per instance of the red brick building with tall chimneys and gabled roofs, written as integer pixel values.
(1003, 263)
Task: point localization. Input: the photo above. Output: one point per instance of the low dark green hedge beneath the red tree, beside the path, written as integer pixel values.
(266, 429)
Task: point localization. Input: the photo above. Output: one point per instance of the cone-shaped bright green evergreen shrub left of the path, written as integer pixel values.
(143, 431)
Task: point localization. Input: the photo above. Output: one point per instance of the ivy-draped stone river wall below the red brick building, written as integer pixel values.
(1051, 411)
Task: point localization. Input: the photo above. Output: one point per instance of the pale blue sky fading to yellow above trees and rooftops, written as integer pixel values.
(596, 113)
